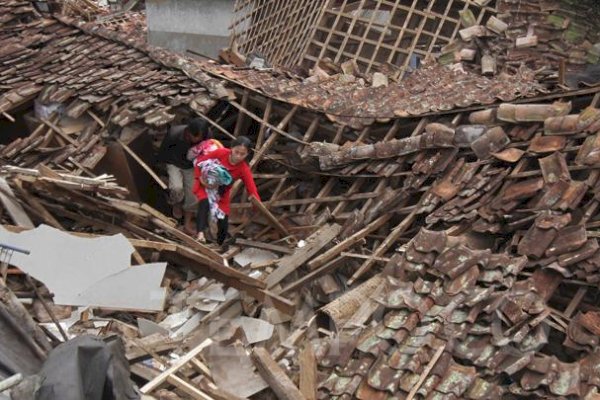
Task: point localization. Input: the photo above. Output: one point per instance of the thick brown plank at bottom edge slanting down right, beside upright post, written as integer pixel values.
(276, 377)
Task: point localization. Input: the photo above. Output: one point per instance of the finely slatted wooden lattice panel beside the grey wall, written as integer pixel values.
(278, 30)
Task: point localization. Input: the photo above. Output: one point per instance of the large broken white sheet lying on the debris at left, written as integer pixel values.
(88, 271)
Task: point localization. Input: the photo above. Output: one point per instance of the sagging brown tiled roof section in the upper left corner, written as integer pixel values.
(94, 69)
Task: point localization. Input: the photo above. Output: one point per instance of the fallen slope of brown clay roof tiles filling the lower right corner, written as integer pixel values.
(459, 323)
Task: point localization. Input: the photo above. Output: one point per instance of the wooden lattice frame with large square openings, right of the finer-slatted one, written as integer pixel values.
(411, 28)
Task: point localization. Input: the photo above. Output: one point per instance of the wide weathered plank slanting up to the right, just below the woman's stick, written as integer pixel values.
(315, 243)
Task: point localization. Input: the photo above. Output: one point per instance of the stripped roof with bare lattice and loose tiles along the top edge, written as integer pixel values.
(379, 35)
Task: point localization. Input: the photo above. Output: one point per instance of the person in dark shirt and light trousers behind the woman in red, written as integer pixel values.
(173, 152)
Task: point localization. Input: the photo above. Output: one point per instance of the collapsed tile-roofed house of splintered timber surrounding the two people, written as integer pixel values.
(426, 233)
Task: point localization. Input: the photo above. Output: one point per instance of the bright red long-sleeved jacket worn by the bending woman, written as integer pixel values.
(237, 171)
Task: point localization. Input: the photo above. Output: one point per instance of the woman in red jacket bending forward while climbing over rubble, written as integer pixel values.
(234, 161)
